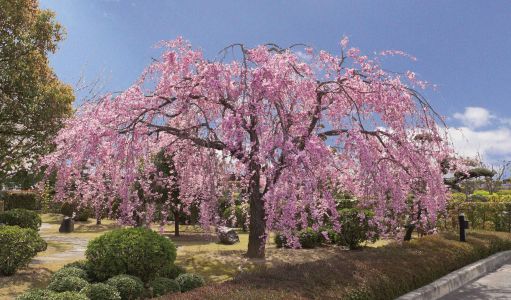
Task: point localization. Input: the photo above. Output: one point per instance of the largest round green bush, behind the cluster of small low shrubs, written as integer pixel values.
(134, 251)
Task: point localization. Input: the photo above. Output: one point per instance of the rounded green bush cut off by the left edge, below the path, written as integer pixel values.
(17, 247)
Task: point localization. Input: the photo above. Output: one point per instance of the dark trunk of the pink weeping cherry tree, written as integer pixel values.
(257, 226)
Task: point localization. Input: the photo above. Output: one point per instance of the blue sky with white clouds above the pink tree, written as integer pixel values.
(462, 46)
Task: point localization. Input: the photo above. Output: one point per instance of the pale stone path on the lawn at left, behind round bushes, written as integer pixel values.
(76, 252)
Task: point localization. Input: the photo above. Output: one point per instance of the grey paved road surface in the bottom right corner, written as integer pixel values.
(494, 285)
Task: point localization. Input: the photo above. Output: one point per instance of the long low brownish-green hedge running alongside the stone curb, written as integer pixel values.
(372, 273)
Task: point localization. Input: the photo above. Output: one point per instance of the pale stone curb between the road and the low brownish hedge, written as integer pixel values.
(458, 278)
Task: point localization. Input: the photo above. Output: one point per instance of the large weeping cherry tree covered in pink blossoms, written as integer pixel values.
(292, 129)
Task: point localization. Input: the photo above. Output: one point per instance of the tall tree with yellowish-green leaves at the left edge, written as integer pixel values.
(33, 102)
